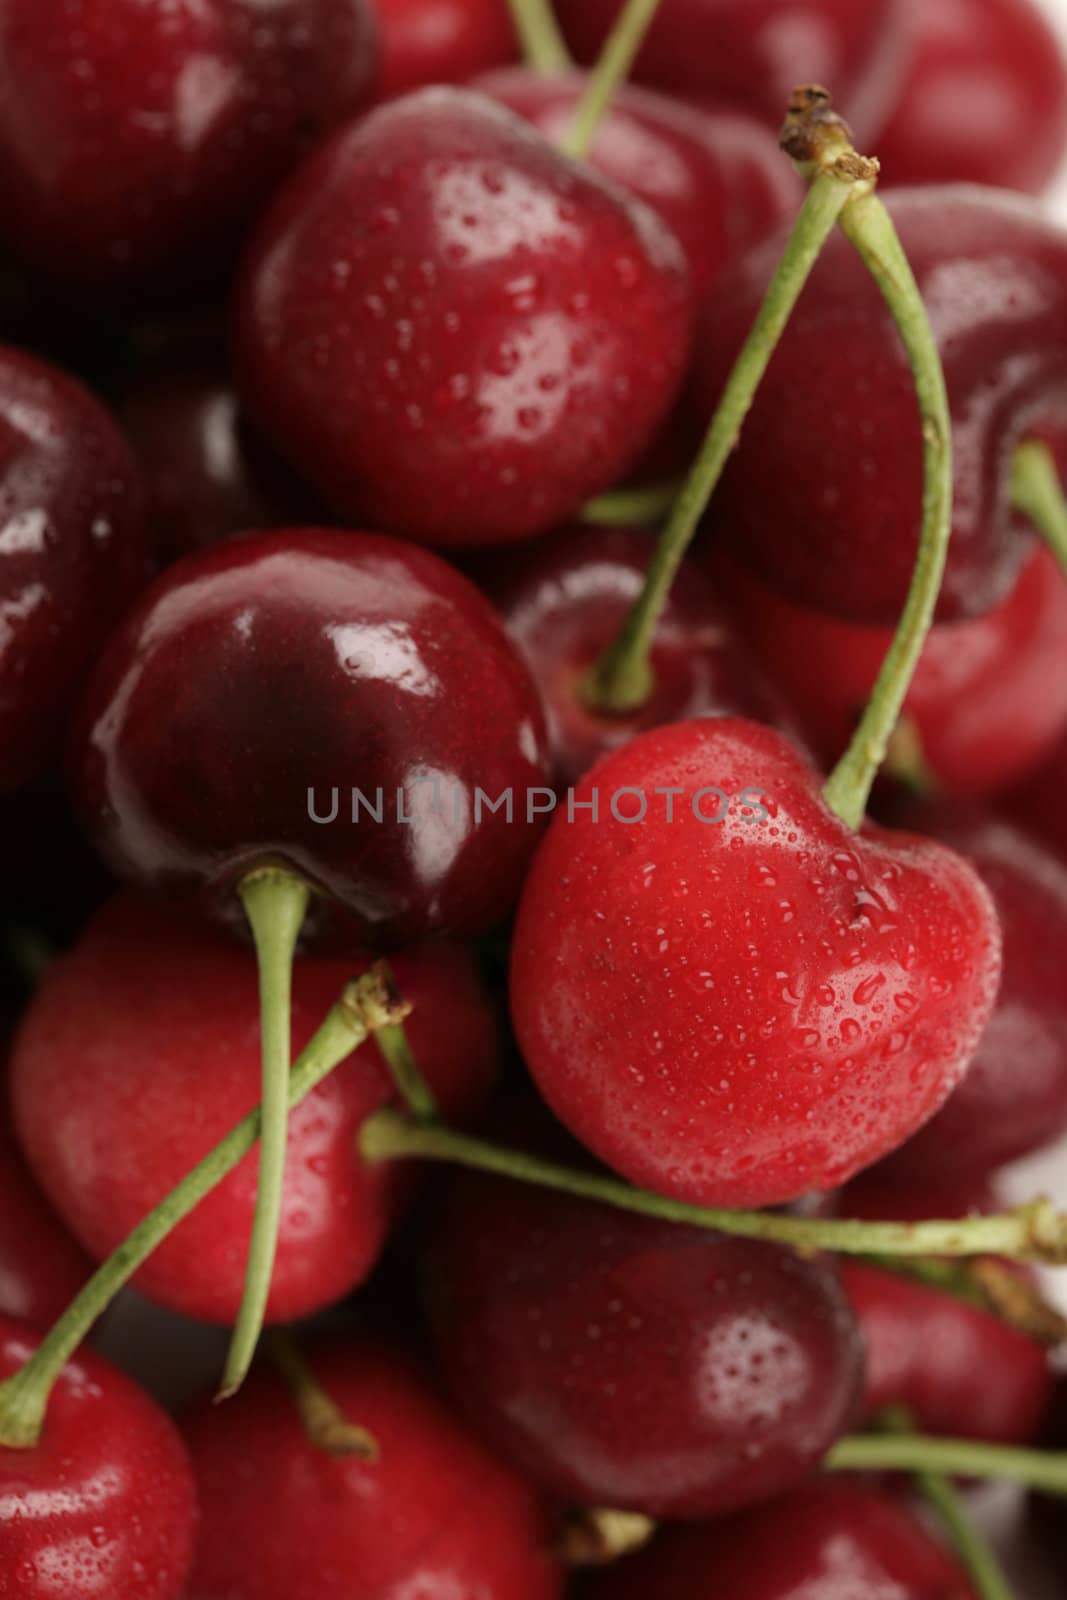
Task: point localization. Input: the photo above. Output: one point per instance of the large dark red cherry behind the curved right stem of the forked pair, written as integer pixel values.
(829, 514)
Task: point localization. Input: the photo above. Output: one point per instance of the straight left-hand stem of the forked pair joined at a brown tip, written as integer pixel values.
(623, 679)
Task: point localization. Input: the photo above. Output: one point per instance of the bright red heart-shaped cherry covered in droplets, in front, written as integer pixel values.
(737, 999)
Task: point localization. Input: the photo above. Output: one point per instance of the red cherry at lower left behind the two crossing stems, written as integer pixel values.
(142, 1050)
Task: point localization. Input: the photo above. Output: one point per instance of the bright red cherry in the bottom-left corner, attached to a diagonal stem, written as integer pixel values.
(105, 1505)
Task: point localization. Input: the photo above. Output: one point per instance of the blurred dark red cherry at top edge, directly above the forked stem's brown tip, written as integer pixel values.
(753, 54)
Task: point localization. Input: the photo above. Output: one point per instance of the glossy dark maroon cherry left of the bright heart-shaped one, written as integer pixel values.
(337, 702)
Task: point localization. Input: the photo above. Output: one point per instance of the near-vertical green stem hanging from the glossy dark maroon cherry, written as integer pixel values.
(276, 905)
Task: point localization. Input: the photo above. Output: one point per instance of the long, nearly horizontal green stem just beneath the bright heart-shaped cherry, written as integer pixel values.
(1033, 1233)
